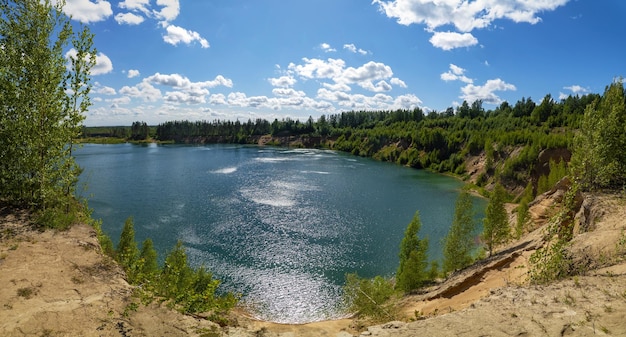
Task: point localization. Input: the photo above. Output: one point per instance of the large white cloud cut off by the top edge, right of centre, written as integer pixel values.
(465, 15)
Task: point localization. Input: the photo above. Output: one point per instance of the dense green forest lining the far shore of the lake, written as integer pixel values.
(510, 136)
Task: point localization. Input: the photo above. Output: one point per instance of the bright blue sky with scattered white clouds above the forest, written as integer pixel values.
(165, 60)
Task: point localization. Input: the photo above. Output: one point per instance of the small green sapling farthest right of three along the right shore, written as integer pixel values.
(496, 229)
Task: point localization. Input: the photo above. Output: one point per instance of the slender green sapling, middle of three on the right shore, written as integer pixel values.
(458, 244)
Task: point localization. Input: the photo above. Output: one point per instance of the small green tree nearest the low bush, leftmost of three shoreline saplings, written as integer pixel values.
(413, 258)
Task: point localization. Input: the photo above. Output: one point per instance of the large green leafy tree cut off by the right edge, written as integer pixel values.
(598, 158)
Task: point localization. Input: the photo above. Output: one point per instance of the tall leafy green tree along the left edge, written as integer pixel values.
(44, 88)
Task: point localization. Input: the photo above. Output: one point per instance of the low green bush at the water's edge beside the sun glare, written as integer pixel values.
(371, 298)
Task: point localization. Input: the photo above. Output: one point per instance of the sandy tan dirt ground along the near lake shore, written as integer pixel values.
(59, 284)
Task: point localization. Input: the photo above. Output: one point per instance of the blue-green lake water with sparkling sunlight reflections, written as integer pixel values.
(280, 226)
